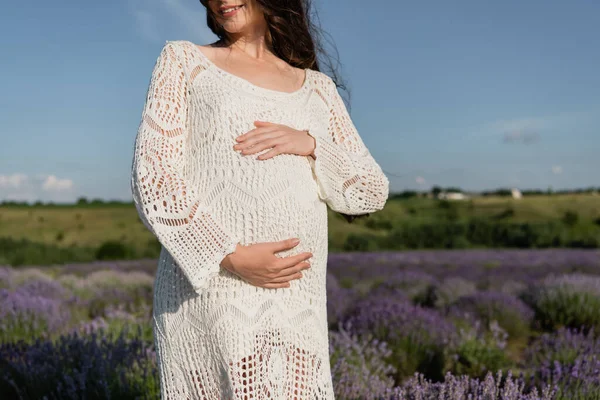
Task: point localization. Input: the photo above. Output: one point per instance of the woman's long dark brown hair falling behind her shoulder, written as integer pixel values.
(293, 37)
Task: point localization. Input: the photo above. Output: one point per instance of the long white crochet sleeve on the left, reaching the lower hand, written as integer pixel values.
(166, 203)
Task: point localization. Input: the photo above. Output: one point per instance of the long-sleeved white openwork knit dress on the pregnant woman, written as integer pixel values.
(217, 336)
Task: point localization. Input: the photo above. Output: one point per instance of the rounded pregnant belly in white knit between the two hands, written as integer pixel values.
(267, 200)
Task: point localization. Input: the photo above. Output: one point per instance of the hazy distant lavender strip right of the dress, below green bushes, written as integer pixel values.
(489, 268)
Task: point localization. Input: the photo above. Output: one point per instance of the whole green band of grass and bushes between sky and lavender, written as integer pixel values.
(411, 221)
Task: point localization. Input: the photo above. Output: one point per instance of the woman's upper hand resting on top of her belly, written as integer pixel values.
(281, 138)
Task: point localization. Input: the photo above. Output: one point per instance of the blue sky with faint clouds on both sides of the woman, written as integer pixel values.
(472, 94)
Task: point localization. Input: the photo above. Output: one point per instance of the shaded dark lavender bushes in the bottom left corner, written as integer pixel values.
(78, 367)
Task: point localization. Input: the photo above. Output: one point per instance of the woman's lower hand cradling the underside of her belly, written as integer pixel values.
(258, 265)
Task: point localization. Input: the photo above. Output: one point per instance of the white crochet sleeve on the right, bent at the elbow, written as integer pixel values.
(349, 179)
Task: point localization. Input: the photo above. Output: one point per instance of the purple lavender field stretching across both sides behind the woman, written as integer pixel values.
(478, 324)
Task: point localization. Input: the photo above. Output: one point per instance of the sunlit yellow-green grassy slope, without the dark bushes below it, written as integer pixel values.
(85, 228)
